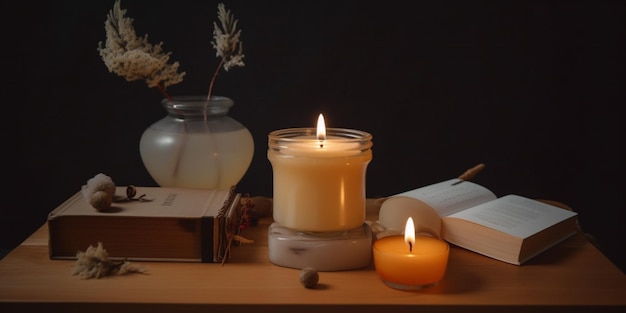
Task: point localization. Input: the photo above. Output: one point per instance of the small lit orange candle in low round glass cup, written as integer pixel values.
(410, 262)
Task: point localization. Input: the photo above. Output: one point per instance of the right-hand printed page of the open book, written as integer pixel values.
(515, 215)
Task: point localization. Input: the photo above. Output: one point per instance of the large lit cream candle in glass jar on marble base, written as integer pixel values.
(319, 177)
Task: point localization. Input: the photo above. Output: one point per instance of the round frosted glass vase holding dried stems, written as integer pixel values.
(197, 145)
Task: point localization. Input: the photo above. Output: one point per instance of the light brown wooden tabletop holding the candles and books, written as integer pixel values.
(573, 276)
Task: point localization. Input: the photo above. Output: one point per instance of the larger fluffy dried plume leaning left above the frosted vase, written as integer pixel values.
(134, 58)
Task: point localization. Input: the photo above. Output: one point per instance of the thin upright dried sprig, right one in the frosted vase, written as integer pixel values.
(226, 42)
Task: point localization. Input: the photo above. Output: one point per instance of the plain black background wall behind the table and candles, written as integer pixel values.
(530, 88)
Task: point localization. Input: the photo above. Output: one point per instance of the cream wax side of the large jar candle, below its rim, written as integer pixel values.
(319, 194)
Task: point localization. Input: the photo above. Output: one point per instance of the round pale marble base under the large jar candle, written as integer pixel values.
(326, 252)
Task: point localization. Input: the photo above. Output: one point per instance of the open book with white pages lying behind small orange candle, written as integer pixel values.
(511, 228)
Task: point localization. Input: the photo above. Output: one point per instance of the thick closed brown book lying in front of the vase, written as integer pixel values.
(164, 224)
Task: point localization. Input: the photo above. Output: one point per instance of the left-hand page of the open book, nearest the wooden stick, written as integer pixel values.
(451, 196)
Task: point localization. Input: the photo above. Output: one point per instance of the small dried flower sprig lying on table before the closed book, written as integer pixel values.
(95, 263)
